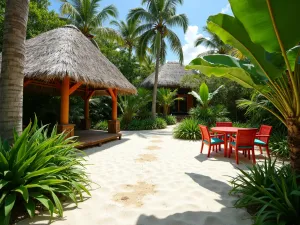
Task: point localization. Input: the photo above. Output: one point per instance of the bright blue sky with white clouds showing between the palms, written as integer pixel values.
(197, 11)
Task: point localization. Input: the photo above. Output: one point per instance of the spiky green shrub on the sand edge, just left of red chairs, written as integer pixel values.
(188, 129)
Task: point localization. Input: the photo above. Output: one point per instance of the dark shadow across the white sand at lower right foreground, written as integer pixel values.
(226, 216)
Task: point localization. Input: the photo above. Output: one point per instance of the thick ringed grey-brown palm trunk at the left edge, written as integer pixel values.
(12, 70)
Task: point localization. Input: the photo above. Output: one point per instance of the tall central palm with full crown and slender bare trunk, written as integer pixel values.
(158, 17)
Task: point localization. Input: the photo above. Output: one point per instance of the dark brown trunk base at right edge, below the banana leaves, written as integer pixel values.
(293, 126)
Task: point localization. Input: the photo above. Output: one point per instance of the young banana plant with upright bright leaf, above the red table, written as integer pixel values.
(204, 97)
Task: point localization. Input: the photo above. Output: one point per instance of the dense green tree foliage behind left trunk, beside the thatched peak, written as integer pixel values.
(40, 19)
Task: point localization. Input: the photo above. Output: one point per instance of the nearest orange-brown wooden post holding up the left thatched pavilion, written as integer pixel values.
(64, 102)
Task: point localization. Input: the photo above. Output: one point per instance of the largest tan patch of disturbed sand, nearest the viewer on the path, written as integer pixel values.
(134, 194)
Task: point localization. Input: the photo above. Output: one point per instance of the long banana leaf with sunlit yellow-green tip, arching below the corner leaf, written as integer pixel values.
(233, 33)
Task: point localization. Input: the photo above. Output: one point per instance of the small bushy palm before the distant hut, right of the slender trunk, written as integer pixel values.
(166, 98)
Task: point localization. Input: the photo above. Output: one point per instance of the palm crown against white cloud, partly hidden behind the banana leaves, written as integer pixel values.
(213, 42)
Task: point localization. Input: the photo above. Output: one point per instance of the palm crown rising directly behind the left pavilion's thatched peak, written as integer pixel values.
(85, 15)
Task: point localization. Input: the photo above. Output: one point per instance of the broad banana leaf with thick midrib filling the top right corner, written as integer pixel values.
(256, 16)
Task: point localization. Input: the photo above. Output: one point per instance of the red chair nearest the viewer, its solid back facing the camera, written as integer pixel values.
(244, 141)
